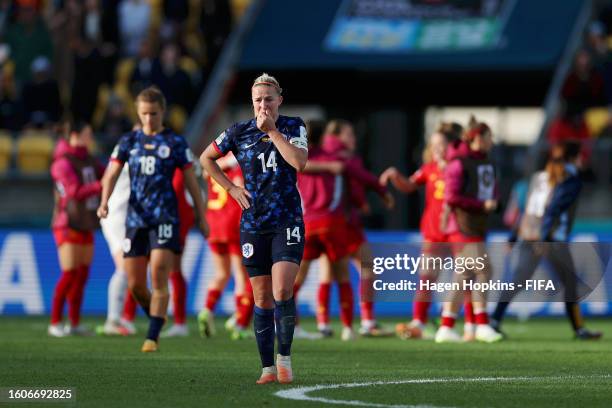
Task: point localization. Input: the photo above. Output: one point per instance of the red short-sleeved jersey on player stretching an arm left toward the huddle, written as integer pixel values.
(432, 177)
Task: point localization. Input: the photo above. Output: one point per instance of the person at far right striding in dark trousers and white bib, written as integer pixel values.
(549, 216)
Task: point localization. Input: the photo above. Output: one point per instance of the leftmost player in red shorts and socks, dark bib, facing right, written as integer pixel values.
(76, 175)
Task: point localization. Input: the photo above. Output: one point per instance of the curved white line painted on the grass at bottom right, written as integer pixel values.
(300, 393)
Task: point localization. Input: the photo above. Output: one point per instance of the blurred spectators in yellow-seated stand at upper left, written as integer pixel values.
(85, 60)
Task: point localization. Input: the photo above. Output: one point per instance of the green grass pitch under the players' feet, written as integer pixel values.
(541, 366)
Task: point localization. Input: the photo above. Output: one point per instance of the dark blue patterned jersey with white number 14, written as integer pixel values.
(275, 202)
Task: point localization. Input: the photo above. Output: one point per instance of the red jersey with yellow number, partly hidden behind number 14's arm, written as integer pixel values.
(223, 212)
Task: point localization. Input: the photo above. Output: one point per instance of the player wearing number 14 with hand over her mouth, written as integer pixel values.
(270, 149)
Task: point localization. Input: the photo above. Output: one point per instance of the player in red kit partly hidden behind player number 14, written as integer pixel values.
(223, 215)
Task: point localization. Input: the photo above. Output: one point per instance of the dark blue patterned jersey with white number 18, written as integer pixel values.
(152, 161)
